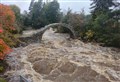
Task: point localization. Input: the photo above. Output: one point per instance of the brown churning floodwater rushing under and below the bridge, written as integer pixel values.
(61, 59)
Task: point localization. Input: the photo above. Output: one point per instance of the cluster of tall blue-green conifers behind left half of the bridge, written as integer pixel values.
(42, 13)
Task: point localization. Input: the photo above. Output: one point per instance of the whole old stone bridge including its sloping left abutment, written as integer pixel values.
(37, 36)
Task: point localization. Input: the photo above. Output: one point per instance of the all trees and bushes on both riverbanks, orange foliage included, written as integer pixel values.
(101, 26)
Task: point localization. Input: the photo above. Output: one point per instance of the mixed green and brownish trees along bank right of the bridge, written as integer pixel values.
(102, 25)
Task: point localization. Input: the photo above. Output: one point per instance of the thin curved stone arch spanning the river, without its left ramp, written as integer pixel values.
(70, 29)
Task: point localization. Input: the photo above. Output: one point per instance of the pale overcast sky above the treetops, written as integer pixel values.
(75, 5)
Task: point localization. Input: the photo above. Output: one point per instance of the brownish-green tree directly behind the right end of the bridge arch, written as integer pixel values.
(76, 20)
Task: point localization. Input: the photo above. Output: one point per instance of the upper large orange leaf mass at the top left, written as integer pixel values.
(7, 17)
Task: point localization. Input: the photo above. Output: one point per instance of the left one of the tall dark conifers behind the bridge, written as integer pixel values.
(35, 14)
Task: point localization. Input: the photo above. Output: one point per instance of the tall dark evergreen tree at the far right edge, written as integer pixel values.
(105, 22)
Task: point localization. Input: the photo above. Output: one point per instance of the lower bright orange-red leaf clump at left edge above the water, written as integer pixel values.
(4, 49)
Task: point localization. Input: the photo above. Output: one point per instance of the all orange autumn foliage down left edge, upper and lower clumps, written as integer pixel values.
(7, 20)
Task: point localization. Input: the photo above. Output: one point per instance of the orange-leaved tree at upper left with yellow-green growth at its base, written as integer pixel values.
(7, 24)
